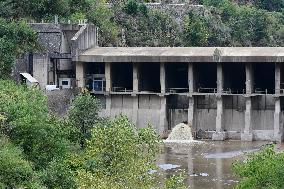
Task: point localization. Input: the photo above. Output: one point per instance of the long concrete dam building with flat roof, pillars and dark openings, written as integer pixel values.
(227, 93)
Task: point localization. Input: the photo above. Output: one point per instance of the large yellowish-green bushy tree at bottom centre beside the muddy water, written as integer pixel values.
(119, 156)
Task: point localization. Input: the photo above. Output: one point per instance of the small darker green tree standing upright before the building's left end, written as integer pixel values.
(83, 115)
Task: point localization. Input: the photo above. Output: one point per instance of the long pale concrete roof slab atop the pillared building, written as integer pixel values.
(182, 54)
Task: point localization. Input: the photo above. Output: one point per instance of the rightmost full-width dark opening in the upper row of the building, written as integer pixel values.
(264, 78)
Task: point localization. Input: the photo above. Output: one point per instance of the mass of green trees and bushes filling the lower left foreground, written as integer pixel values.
(39, 150)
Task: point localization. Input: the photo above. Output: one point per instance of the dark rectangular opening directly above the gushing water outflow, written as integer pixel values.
(176, 77)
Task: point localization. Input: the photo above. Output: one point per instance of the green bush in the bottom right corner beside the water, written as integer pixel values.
(263, 170)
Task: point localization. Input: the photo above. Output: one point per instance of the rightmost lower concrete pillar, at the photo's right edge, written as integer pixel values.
(278, 130)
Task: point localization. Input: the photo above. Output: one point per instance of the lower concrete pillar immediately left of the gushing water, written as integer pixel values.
(163, 125)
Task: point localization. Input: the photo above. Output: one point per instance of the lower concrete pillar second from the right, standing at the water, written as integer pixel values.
(247, 134)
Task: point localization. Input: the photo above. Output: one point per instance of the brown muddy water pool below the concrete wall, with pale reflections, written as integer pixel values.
(208, 165)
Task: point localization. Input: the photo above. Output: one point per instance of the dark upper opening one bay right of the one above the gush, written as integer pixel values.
(205, 77)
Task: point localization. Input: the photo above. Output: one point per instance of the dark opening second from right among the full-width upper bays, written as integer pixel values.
(234, 78)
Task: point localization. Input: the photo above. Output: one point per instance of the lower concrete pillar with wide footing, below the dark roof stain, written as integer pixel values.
(219, 134)
